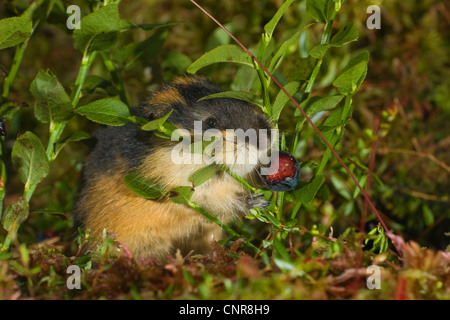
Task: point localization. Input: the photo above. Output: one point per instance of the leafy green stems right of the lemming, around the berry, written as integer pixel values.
(272, 54)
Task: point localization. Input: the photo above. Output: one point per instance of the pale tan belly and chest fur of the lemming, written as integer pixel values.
(136, 221)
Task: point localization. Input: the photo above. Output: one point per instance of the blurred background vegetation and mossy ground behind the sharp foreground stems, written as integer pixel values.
(400, 121)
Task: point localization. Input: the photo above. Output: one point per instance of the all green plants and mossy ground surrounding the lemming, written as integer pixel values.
(323, 64)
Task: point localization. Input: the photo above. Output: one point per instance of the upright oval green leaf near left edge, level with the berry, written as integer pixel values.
(29, 157)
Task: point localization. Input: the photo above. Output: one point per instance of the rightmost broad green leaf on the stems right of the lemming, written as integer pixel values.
(353, 74)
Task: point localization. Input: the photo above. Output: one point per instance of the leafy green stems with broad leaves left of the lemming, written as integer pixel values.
(99, 32)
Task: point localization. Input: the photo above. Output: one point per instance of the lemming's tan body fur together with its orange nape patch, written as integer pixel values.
(158, 227)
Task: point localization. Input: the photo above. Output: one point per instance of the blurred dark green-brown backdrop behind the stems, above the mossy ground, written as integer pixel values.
(407, 88)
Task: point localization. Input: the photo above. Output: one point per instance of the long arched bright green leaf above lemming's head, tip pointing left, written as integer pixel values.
(225, 53)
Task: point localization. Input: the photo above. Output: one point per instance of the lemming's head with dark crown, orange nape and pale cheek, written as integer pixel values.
(241, 132)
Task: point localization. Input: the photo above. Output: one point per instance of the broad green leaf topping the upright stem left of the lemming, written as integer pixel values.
(98, 30)
